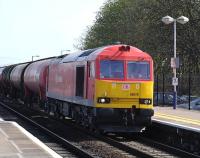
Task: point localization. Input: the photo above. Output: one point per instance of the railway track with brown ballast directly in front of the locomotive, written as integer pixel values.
(148, 147)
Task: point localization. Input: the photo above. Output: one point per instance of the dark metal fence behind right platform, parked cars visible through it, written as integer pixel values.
(188, 90)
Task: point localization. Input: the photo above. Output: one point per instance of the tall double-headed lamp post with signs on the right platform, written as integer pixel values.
(175, 60)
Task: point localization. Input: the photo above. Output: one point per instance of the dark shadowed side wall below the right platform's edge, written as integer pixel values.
(175, 136)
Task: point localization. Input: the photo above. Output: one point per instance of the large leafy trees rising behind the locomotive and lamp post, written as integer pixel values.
(138, 23)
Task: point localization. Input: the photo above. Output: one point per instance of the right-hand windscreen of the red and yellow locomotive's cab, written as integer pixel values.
(138, 70)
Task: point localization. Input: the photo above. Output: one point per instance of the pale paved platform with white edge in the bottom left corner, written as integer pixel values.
(16, 142)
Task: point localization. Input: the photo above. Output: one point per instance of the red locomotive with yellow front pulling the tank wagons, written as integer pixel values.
(110, 88)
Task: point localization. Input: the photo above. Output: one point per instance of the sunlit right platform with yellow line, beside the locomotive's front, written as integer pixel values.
(185, 118)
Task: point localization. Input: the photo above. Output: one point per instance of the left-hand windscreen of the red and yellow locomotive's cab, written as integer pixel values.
(111, 69)
